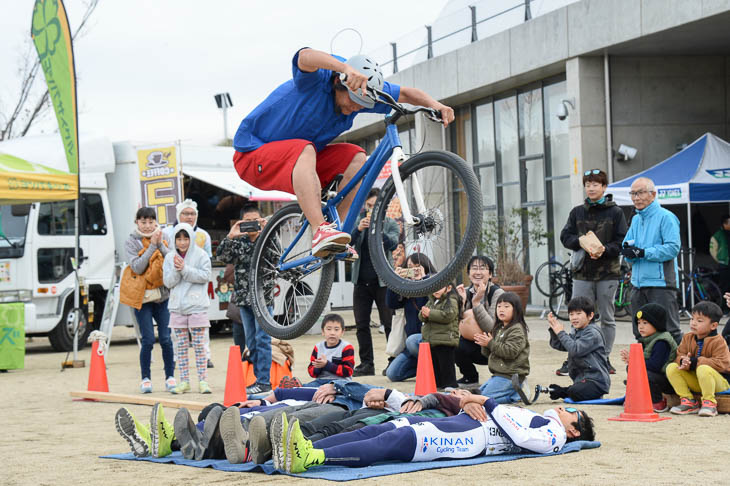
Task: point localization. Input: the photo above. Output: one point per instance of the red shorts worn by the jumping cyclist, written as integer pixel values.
(270, 166)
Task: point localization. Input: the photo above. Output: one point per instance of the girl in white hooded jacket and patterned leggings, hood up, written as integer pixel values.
(186, 272)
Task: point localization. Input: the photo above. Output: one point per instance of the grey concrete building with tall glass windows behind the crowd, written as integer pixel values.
(650, 74)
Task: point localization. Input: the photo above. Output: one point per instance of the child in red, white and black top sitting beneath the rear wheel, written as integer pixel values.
(333, 358)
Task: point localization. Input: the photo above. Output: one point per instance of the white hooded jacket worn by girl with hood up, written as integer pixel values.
(189, 286)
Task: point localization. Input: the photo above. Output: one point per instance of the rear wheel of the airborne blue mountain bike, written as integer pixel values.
(298, 295)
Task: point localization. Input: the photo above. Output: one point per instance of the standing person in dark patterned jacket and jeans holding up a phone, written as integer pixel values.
(237, 249)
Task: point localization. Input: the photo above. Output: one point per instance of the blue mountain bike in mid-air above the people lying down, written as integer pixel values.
(283, 265)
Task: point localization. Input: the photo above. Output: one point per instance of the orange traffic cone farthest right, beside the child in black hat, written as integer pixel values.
(638, 406)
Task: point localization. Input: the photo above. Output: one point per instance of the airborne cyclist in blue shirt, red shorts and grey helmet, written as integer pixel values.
(283, 143)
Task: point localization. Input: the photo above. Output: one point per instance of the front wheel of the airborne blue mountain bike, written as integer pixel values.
(448, 228)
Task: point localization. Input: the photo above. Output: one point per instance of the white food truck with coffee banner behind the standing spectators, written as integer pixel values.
(116, 179)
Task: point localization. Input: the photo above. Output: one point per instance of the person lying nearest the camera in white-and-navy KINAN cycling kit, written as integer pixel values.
(485, 428)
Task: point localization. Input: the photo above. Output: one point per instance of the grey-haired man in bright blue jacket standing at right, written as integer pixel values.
(651, 245)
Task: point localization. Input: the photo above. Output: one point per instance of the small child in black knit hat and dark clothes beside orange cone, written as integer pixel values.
(660, 349)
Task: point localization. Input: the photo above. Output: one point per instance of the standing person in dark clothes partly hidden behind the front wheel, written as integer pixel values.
(368, 287)
